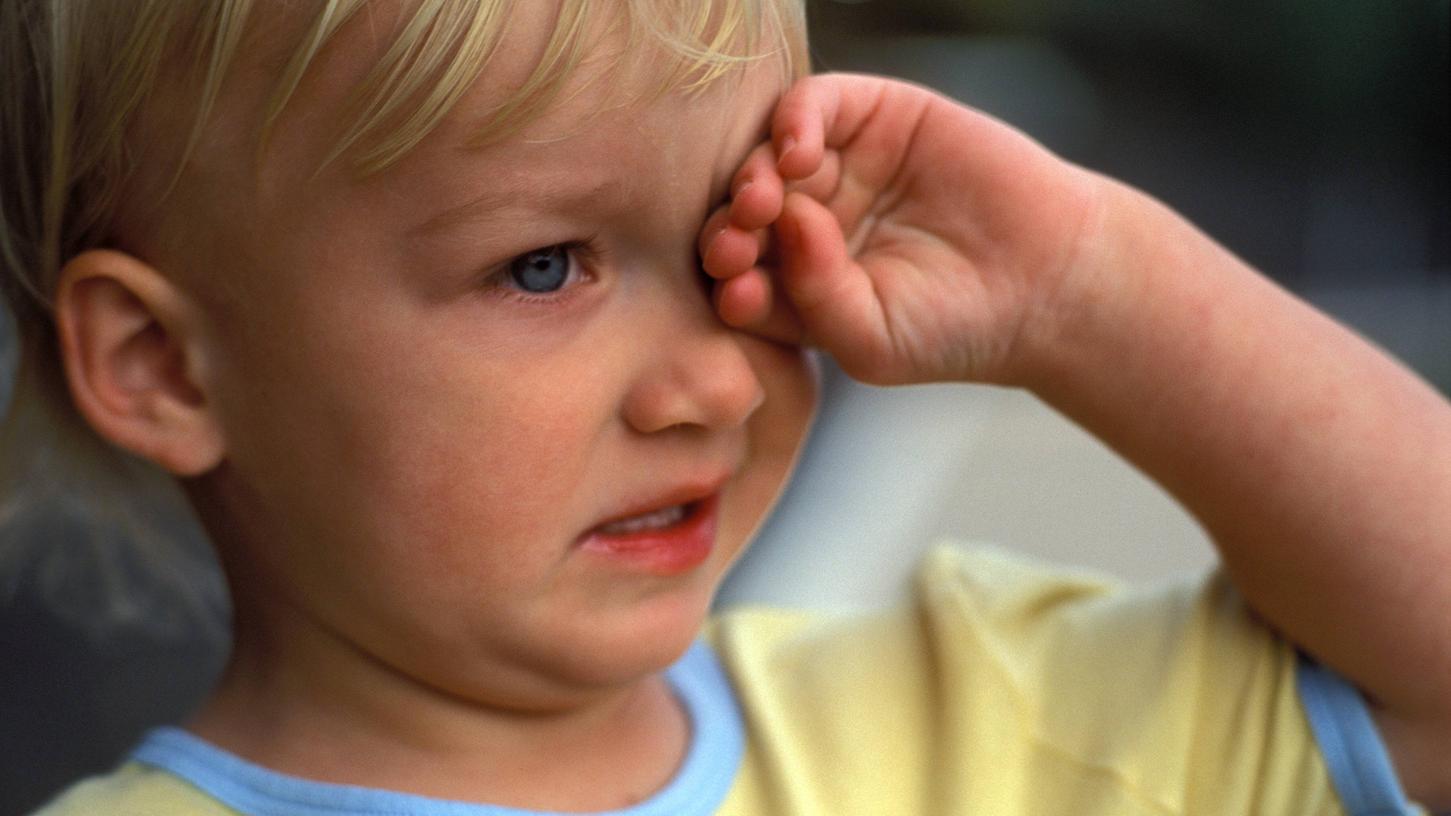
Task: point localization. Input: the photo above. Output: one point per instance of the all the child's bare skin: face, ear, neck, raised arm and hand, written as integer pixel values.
(411, 613)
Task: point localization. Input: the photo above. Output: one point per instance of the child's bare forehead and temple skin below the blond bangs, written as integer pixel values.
(240, 213)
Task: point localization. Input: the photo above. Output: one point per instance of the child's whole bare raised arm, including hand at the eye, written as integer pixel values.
(921, 242)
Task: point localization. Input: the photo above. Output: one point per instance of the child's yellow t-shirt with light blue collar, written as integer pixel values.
(1000, 688)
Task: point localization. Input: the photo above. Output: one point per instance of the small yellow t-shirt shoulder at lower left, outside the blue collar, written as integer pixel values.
(134, 791)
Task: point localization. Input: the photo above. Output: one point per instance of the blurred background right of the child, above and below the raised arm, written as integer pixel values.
(1310, 137)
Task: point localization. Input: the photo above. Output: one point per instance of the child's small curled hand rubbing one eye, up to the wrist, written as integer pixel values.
(911, 237)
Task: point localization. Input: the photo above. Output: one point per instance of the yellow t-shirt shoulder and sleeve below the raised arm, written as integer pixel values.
(1175, 696)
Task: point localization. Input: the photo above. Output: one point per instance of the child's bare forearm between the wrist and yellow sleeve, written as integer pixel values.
(1320, 467)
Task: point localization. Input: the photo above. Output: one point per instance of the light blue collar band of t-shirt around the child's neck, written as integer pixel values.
(699, 789)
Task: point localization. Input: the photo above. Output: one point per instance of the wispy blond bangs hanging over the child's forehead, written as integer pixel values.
(446, 46)
